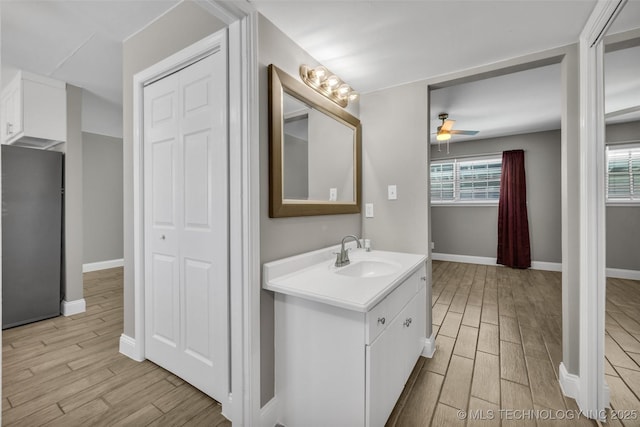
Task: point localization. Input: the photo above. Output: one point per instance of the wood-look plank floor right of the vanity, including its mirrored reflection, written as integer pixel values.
(499, 346)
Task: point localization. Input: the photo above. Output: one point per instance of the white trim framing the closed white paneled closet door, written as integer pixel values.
(243, 405)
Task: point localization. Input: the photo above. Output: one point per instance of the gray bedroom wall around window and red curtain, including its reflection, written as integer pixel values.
(473, 230)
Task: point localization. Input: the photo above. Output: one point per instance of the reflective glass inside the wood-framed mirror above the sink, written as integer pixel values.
(317, 154)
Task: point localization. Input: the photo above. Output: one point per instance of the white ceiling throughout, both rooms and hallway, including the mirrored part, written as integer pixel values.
(371, 44)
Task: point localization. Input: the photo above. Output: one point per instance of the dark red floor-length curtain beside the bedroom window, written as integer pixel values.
(513, 224)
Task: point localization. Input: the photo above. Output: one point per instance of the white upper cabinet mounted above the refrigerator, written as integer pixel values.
(34, 111)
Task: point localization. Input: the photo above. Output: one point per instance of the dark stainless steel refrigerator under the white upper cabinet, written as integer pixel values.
(31, 234)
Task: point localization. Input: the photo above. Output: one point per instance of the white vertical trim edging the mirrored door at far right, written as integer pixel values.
(593, 393)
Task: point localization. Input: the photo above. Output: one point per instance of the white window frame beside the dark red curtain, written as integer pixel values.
(457, 162)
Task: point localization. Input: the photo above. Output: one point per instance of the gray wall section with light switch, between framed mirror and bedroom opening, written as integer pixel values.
(395, 141)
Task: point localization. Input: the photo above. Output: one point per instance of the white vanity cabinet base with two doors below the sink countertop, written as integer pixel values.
(347, 366)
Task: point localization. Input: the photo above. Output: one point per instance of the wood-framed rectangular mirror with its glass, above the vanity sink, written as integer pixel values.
(315, 152)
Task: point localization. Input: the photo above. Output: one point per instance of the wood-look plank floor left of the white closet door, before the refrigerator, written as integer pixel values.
(67, 371)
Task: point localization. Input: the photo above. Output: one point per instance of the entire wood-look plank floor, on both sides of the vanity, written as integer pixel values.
(498, 349)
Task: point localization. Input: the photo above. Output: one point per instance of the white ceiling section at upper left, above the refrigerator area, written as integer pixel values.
(79, 42)
